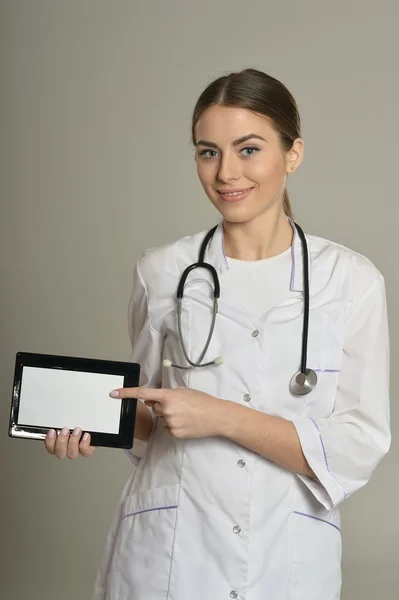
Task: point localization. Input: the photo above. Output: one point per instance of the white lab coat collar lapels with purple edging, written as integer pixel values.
(216, 256)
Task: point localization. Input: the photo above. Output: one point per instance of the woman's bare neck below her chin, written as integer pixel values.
(264, 237)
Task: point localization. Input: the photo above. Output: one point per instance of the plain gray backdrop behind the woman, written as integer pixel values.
(96, 98)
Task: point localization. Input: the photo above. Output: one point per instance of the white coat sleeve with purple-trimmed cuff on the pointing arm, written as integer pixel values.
(344, 449)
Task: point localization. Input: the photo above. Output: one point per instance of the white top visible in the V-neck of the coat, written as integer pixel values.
(259, 284)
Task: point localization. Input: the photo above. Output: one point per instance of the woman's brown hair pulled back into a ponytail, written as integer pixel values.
(260, 93)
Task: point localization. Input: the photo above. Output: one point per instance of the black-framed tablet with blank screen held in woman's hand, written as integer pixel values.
(52, 392)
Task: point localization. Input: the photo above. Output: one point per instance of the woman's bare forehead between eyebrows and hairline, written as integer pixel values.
(226, 124)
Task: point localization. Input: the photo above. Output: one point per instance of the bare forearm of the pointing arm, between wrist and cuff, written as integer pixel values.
(272, 437)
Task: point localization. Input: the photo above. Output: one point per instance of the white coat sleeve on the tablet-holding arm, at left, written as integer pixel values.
(147, 347)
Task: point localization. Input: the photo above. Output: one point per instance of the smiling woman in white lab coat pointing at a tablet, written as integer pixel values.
(237, 494)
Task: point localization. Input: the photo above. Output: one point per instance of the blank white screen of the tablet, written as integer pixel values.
(60, 398)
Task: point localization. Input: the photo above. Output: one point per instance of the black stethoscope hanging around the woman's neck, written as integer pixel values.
(302, 382)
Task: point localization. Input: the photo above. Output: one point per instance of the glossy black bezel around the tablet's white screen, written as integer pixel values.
(129, 371)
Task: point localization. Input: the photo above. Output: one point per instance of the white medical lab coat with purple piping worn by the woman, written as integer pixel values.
(207, 519)
